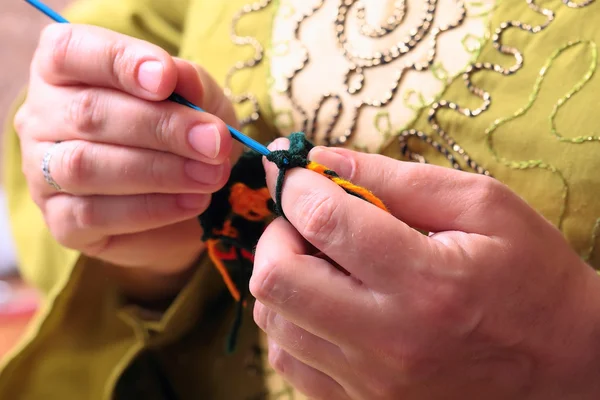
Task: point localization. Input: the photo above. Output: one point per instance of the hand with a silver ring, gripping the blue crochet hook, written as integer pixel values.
(134, 171)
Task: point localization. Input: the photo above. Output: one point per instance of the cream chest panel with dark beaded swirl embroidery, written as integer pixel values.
(415, 54)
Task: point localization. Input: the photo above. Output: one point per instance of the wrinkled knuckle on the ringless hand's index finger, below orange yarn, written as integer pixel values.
(319, 217)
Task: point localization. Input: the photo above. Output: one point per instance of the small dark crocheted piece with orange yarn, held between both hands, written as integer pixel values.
(239, 213)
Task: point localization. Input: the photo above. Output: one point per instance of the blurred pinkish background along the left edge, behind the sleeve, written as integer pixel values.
(20, 25)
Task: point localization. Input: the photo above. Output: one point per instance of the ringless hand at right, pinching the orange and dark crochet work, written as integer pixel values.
(359, 305)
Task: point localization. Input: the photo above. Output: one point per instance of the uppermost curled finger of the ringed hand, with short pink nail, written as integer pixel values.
(70, 54)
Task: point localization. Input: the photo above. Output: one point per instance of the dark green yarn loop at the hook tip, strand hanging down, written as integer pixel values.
(295, 156)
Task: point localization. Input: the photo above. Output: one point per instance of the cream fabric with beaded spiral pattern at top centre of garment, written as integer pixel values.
(425, 35)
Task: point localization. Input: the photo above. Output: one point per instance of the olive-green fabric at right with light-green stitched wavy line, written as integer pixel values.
(571, 181)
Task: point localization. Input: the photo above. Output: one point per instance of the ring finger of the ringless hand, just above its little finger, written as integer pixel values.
(312, 350)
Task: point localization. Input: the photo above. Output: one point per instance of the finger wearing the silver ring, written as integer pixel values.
(84, 168)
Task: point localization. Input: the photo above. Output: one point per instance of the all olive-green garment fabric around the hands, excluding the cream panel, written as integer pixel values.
(86, 333)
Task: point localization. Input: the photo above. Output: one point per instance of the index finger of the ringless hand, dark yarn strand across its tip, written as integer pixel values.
(355, 234)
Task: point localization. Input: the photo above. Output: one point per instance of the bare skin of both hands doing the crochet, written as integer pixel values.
(355, 302)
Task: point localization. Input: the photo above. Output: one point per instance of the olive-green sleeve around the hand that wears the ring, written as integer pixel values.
(83, 316)
